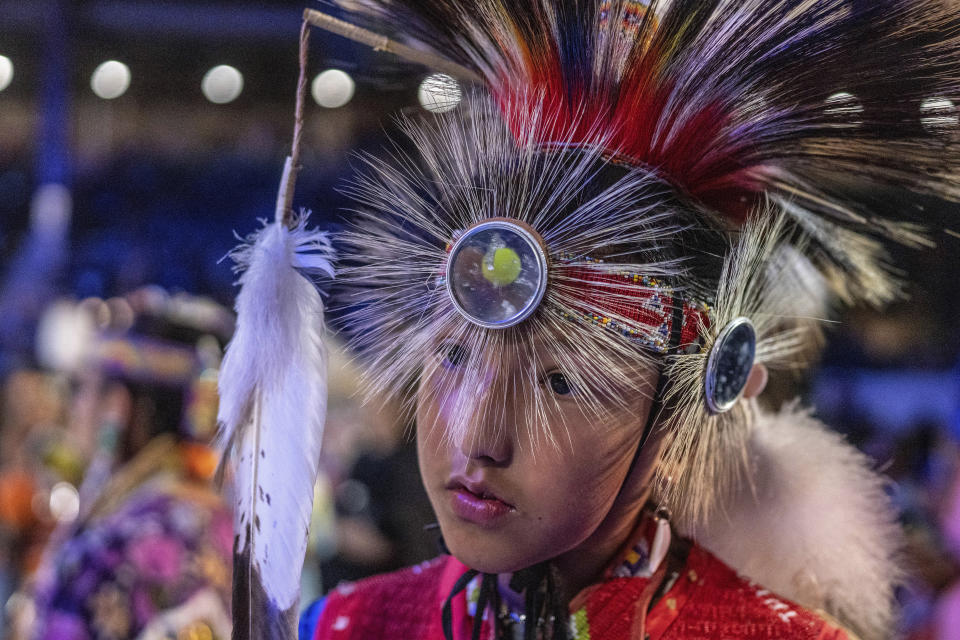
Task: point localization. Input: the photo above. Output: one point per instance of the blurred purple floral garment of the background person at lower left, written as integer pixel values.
(154, 563)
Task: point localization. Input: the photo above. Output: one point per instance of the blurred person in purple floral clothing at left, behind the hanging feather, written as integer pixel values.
(144, 544)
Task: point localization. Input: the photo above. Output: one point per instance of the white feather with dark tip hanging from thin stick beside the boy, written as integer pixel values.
(273, 394)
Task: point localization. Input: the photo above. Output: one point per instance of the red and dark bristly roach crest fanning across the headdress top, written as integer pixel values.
(811, 103)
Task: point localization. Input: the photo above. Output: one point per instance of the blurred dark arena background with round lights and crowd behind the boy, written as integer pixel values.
(138, 137)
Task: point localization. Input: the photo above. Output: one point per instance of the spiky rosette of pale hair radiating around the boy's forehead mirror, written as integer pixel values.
(609, 233)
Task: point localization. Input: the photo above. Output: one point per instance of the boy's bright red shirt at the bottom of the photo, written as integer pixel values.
(700, 599)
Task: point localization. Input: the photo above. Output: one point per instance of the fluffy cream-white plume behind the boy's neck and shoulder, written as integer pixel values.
(812, 523)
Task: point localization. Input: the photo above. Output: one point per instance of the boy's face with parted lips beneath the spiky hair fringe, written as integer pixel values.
(503, 501)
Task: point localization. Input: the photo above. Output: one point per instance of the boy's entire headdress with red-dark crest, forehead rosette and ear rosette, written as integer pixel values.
(663, 160)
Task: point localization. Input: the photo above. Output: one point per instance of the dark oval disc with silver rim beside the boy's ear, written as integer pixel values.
(729, 364)
